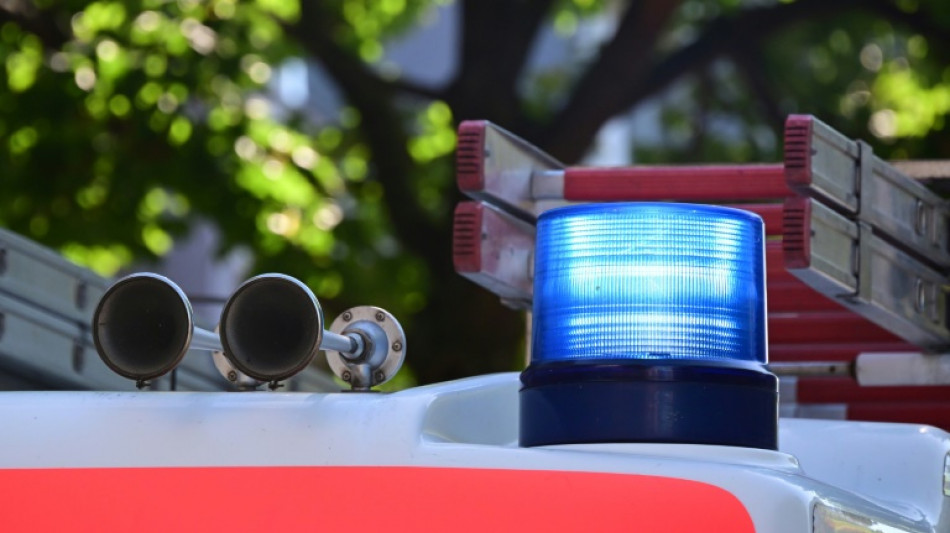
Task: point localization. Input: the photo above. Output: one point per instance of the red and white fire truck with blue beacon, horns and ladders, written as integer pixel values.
(675, 313)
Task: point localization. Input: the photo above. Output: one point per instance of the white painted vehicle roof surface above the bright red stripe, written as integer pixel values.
(890, 473)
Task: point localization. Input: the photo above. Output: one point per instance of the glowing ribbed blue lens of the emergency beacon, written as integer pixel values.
(649, 281)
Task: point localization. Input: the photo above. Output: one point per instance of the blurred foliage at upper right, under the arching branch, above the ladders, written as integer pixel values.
(870, 76)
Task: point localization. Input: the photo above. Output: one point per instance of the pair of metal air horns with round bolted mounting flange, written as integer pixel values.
(270, 329)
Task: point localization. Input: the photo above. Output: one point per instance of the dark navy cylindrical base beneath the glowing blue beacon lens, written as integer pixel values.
(648, 401)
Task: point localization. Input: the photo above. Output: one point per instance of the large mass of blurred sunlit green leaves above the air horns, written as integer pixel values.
(152, 115)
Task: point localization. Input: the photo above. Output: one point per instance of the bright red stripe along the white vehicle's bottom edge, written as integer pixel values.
(359, 499)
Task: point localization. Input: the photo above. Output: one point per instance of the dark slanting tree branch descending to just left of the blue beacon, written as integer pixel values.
(445, 345)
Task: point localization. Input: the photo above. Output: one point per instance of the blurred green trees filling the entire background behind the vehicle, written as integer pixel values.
(122, 123)
